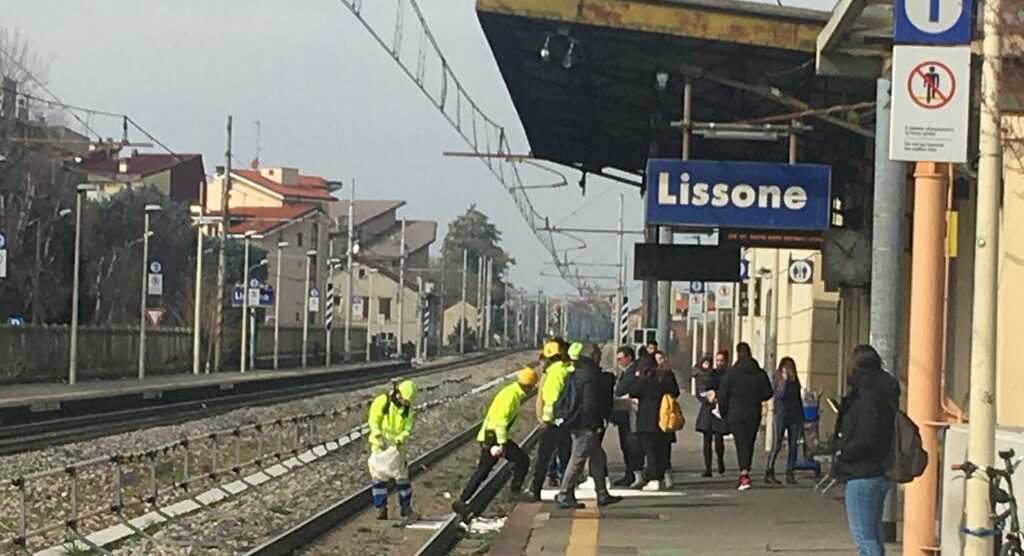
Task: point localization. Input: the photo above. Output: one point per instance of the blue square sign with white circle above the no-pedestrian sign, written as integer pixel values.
(932, 22)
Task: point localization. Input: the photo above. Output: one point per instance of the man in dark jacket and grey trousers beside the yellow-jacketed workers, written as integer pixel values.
(595, 390)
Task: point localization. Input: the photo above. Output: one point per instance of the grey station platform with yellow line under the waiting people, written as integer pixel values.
(698, 517)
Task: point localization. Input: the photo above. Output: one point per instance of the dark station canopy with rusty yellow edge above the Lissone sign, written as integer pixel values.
(600, 83)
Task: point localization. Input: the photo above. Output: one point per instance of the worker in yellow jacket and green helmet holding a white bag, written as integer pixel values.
(391, 425)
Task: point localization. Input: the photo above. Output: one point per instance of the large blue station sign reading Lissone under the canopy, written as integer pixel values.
(739, 195)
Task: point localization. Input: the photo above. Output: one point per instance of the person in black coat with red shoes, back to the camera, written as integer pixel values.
(744, 389)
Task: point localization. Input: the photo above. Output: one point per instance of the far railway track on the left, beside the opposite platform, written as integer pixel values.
(50, 433)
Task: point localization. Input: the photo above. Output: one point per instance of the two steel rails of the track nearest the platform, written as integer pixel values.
(312, 532)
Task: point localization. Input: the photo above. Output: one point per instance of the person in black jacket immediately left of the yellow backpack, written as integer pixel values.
(652, 386)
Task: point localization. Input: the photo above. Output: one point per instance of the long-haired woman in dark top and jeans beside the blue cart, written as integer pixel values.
(788, 419)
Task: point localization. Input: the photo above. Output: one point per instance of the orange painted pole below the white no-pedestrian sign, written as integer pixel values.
(925, 356)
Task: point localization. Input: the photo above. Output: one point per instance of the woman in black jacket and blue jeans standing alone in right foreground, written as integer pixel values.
(864, 436)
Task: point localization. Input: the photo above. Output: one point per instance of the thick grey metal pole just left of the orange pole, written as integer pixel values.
(888, 237)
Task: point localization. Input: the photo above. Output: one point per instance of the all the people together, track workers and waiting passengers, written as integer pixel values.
(578, 401)
